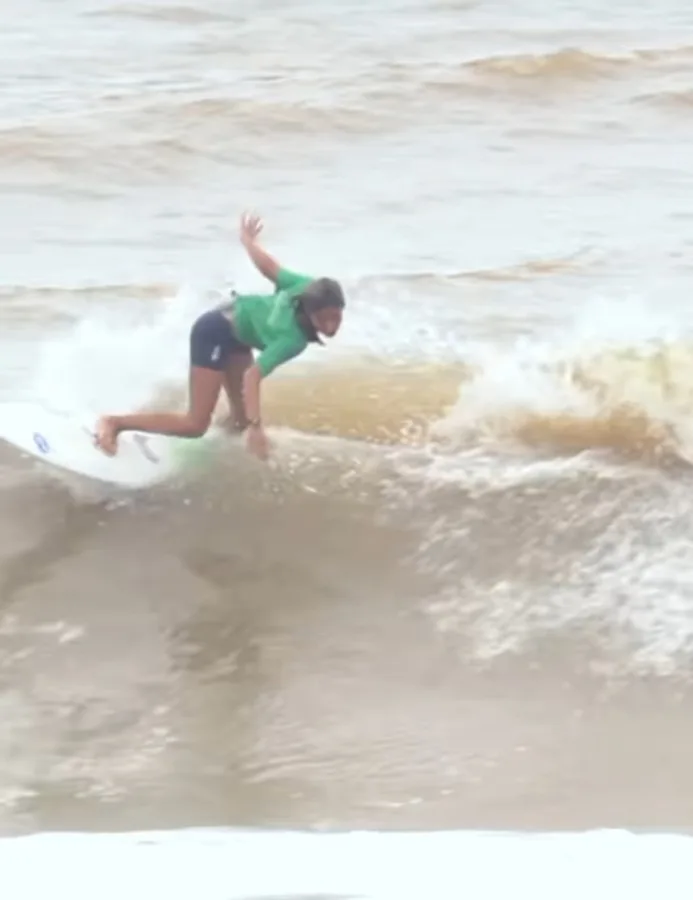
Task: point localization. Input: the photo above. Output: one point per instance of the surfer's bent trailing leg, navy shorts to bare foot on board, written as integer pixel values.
(209, 350)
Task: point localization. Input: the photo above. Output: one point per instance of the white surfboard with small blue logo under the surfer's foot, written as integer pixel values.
(66, 440)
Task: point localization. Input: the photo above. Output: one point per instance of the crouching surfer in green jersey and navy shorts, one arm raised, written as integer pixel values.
(279, 325)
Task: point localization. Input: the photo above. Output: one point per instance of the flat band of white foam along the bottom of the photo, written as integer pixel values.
(220, 864)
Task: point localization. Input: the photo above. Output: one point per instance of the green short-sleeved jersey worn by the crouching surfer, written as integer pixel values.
(268, 322)
